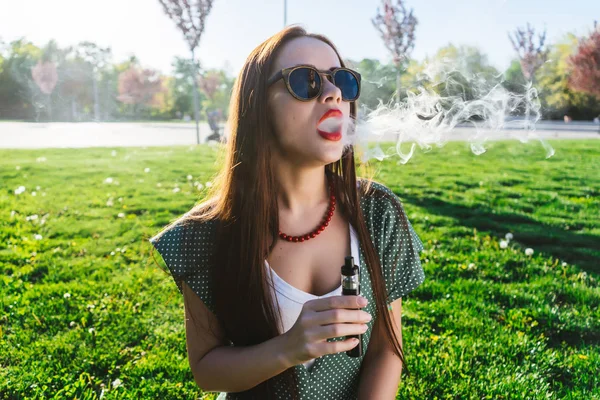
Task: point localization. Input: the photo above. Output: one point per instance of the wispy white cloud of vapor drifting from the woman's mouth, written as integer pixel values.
(447, 104)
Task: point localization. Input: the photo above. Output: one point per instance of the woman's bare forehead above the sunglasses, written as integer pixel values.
(306, 50)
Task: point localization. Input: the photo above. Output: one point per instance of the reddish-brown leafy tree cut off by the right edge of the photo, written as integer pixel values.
(585, 65)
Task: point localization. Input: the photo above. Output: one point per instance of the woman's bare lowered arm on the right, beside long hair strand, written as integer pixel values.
(381, 368)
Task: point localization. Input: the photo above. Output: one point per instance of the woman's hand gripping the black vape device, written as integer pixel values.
(325, 318)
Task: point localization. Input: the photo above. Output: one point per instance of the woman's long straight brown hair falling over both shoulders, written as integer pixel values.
(244, 202)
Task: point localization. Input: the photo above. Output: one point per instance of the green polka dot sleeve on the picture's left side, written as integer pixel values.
(186, 250)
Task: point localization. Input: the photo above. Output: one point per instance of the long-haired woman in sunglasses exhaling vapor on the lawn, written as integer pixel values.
(259, 262)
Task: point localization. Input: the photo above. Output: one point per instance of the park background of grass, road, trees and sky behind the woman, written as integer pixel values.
(112, 121)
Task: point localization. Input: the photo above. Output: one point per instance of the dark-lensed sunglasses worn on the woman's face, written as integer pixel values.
(304, 82)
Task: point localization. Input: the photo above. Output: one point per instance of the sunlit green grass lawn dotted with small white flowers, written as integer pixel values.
(487, 323)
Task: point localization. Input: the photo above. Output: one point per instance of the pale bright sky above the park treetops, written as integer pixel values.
(235, 27)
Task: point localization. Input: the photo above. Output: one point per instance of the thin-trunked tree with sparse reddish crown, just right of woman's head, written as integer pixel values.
(396, 26)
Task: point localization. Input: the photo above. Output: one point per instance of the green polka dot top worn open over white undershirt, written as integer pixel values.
(333, 376)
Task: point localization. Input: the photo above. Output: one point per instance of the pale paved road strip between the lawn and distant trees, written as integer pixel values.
(24, 135)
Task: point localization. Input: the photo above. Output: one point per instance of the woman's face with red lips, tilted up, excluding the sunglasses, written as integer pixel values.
(301, 135)
